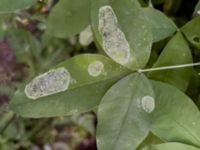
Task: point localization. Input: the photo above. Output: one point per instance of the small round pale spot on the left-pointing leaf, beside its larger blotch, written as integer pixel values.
(96, 68)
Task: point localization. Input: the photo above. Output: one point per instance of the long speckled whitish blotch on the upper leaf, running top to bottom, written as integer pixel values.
(114, 41)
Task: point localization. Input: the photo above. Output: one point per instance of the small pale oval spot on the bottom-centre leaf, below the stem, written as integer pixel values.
(148, 104)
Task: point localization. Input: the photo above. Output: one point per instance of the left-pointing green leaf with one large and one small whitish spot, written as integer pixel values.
(83, 81)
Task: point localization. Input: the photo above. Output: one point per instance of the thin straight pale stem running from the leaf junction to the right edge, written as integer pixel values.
(168, 67)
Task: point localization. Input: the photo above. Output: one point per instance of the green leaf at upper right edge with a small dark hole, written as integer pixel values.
(192, 32)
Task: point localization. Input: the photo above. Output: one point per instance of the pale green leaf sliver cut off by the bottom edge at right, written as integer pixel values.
(171, 146)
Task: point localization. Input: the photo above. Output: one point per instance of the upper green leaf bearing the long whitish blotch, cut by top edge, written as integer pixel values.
(122, 30)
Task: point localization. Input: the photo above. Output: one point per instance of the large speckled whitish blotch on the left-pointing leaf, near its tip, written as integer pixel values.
(51, 82)
